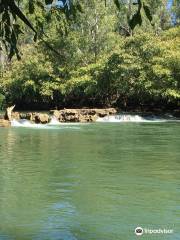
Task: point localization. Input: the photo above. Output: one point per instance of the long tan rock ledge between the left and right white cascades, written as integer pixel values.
(82, 115)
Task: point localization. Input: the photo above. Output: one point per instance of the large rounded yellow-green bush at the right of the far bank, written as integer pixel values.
(145, 69)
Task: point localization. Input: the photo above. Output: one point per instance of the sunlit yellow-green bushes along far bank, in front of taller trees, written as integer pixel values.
(143, 69)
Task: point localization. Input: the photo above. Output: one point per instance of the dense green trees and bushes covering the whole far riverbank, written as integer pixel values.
(97, 58)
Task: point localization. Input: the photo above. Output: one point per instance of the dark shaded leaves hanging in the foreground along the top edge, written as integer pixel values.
(10, 12)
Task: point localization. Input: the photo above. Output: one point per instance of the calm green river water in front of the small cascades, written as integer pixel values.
(90, 182)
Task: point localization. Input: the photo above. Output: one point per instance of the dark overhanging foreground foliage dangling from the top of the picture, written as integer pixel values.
(12, 11)
